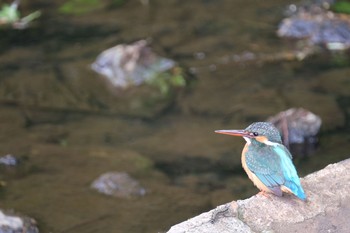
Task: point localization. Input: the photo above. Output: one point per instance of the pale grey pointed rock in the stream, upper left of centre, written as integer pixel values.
(131, 65)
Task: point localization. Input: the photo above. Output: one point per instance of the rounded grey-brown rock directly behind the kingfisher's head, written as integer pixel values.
(297, 126)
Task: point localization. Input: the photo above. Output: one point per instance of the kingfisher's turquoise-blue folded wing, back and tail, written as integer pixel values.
(274, 167)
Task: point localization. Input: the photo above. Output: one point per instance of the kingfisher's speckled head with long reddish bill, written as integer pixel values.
(263, 132)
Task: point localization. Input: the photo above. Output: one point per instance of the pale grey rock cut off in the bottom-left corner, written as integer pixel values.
(16, 224)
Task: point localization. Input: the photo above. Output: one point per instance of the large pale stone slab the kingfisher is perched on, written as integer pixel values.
(327, 209)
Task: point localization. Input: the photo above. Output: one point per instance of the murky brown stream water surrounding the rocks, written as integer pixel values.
(67, 127)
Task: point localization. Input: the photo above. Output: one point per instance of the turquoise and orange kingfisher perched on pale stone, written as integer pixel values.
(267, 161)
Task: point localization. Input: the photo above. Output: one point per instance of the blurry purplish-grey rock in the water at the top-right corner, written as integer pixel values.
(319, 26)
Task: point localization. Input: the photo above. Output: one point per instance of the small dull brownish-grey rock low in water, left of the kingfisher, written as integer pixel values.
(118, 184)
